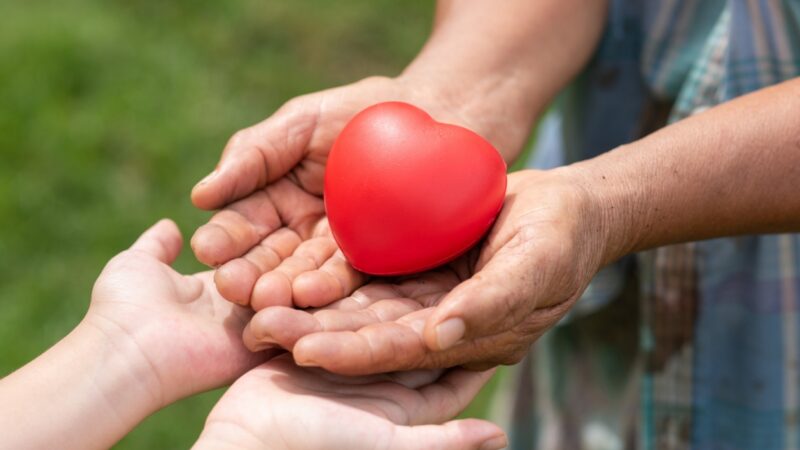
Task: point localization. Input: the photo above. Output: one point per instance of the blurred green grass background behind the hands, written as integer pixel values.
(111, 110)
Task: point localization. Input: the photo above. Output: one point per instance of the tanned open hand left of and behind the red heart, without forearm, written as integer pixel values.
(270, 181)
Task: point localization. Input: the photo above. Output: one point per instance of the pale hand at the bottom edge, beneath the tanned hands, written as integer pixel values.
(281, 406)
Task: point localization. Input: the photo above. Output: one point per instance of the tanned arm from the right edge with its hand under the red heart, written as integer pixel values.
(732, 170)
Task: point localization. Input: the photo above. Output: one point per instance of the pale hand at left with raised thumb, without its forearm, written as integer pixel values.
(181, 336)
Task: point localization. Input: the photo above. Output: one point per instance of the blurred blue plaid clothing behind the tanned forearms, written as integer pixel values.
(688, 346)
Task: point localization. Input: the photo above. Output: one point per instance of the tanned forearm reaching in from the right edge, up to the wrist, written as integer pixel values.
(732, 170)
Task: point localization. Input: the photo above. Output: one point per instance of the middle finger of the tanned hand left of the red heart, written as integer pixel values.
(236, 279)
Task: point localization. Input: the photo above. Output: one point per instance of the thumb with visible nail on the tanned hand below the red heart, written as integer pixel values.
(492, 299)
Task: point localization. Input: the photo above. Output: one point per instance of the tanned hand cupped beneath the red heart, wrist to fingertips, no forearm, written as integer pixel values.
(482, 310)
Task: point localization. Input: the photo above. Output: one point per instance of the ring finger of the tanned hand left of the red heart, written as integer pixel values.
(274, 288)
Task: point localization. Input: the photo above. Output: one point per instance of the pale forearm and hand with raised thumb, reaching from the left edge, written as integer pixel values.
(151, 336)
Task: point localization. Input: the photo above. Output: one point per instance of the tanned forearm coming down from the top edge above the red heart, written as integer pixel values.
(502, 62)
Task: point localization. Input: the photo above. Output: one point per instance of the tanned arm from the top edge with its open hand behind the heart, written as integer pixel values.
(490, 69)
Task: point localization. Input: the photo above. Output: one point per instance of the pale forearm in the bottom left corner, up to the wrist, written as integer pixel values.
(82, 393)
